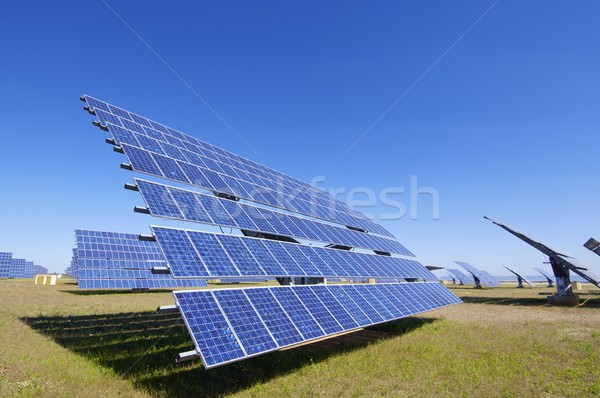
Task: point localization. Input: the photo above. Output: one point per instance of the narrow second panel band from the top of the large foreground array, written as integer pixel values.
(176, 203)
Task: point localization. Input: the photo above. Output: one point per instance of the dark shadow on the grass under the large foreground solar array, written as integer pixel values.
(142, 347)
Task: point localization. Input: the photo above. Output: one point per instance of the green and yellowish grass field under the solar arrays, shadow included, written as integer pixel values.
(502, 342)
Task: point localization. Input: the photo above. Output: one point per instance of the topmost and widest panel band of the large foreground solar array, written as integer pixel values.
(158, 150)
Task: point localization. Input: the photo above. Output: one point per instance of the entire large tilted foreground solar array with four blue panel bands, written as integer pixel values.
(229, 325)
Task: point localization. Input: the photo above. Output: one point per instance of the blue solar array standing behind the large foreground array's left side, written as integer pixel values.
(112, 260)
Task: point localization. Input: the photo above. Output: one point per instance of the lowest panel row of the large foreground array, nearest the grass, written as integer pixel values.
(230, 325)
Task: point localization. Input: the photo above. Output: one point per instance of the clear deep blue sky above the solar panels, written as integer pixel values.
(505, 124)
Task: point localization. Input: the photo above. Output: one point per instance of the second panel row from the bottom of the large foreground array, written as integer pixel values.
(197, 254)
